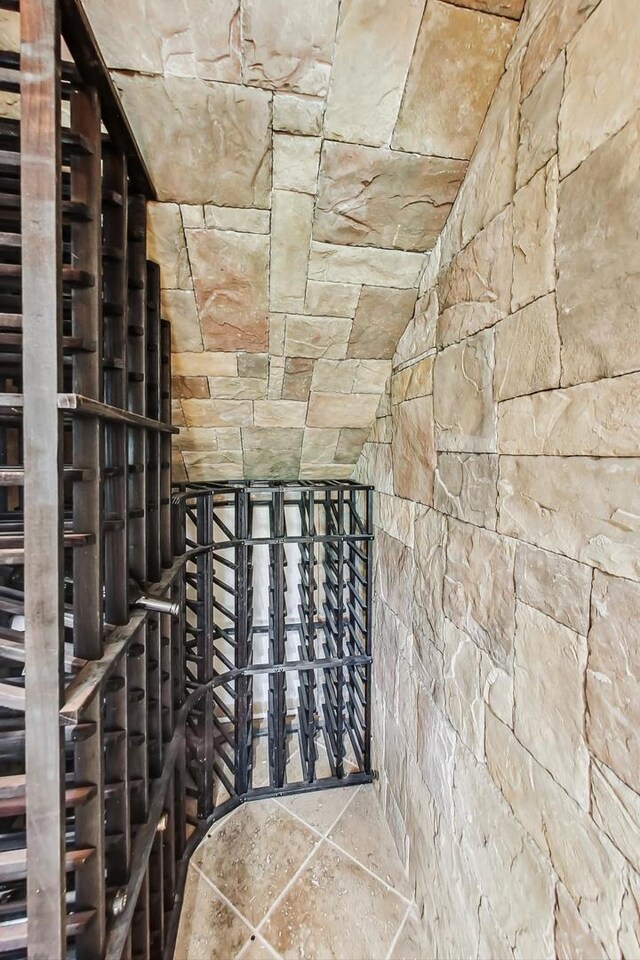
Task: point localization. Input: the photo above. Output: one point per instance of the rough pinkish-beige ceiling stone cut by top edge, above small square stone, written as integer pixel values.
(289, 46)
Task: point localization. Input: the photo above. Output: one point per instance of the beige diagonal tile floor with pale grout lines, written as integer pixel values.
(313, 877)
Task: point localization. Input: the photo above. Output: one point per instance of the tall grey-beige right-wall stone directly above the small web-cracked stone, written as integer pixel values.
(465, 415)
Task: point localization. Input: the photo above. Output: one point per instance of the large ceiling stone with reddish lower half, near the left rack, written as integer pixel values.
(231, 276)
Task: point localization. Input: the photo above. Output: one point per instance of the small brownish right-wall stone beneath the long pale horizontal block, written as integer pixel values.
(555, 585)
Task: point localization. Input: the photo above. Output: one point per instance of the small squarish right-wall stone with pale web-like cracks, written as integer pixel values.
(466, 487)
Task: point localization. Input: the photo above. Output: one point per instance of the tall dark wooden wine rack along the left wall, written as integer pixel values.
(92, 702)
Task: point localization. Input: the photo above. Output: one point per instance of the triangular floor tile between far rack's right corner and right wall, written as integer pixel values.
(363, 832)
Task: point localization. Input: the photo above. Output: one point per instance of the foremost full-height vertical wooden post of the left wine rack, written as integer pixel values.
(44, 563)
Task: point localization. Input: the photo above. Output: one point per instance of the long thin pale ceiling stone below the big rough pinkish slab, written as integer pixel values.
(368, 265)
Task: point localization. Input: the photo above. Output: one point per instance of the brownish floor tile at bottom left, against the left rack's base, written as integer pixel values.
(208, 930)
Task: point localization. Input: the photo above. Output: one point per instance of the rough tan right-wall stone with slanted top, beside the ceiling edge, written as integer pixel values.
(474, 291)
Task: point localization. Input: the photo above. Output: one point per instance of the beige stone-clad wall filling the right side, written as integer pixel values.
(505, 456)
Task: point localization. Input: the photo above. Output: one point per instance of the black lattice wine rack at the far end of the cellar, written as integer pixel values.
(291, 708)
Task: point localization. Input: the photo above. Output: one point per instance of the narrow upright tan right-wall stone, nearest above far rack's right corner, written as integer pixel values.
(414, 457)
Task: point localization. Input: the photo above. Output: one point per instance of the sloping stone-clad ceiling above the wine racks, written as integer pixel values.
(306, 154)
